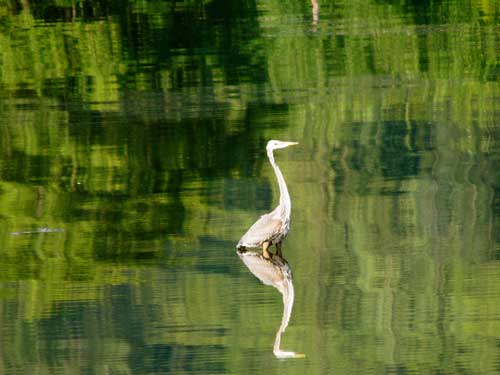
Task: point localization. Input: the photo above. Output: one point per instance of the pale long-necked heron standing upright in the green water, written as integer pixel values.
(271, 228)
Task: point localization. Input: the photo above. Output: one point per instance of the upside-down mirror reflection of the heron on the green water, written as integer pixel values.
(275, 272)
